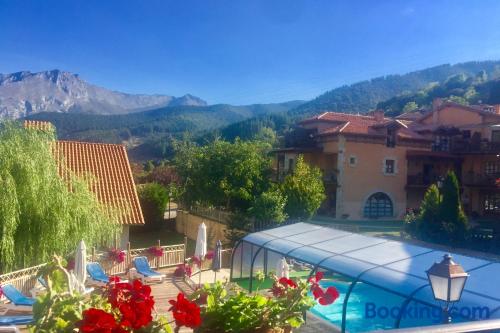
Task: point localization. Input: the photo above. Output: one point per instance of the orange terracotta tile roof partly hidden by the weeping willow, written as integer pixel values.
(107, 169)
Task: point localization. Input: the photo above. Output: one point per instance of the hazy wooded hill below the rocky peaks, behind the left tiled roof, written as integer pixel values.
(145, 125)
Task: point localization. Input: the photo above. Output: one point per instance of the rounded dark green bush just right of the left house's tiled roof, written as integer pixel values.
(154, 198)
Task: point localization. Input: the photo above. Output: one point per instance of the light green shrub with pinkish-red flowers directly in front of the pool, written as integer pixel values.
(230, 309)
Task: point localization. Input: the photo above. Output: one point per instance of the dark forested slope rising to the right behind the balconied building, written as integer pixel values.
(380, 92)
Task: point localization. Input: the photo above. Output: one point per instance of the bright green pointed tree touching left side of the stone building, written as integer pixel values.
(304, 190)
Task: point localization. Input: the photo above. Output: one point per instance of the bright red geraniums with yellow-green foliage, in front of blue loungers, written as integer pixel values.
(123, 307)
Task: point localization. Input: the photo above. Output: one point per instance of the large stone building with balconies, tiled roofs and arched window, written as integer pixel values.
(378, 167)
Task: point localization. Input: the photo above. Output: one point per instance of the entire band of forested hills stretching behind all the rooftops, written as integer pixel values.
(151, 132)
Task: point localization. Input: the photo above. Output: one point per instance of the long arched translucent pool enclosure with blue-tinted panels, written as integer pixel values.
(393, 266)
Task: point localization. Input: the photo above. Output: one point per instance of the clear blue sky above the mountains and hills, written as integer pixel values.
(243, 52)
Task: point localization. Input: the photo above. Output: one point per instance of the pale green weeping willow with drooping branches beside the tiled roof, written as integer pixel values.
(40, 213)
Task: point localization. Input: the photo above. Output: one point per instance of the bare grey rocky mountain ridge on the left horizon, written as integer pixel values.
(25, 93)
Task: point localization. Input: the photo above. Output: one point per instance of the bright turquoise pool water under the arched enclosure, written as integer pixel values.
(370, 308)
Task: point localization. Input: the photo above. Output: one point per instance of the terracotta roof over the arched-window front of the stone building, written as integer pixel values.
(352, 124)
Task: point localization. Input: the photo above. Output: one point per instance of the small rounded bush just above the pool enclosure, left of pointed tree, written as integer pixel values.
(269, 206)
